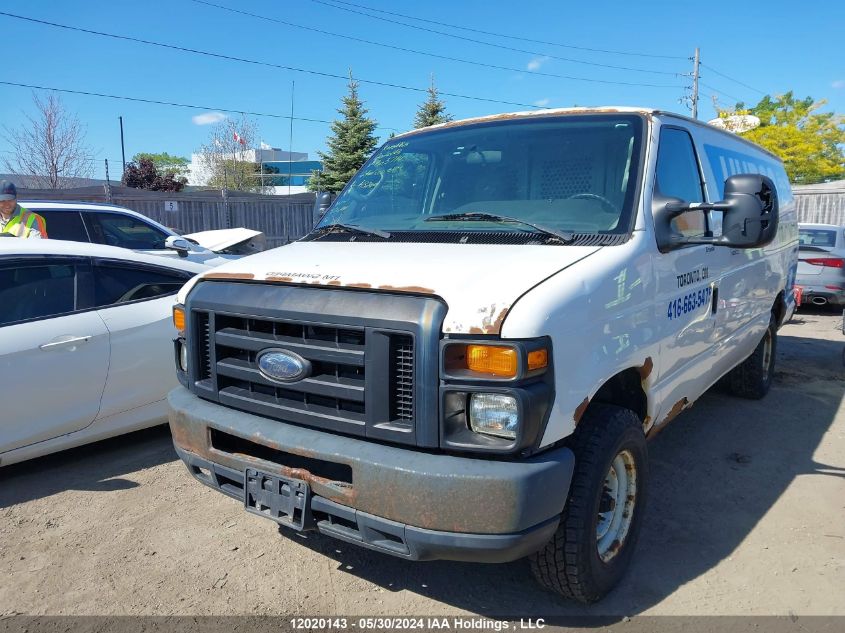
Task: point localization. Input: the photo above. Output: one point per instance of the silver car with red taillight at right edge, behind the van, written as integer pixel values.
(821, 264)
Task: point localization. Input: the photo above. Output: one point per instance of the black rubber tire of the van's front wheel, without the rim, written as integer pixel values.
(570, 564)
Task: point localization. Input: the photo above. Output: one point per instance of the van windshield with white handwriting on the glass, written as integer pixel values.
(569, 175)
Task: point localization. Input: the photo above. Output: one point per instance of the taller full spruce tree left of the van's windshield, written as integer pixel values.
(350, 144)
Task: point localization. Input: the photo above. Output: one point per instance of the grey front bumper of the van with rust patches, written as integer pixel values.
(404, 502)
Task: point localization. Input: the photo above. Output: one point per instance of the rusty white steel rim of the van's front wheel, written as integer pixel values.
(616, 506)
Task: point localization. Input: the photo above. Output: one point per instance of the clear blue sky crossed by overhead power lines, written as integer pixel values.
(770, 47)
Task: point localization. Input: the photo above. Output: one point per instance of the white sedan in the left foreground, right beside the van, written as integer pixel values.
(86, 347)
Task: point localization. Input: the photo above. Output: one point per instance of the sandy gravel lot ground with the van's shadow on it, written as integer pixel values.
(746, 516)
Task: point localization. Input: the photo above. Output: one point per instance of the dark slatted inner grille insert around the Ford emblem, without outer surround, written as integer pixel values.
(333, 396)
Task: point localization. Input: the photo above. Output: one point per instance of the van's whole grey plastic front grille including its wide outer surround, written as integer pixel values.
(371, 370)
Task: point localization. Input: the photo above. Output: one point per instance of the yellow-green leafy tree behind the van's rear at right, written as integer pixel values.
(810, 143)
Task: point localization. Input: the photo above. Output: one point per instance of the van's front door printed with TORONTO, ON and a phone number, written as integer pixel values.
(687, 279)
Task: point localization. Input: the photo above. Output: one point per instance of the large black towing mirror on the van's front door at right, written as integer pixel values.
(750, 216)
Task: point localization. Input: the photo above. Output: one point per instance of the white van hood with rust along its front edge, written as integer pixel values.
(479, 283)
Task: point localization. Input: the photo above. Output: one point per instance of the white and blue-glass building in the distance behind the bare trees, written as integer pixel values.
(285, 172)
